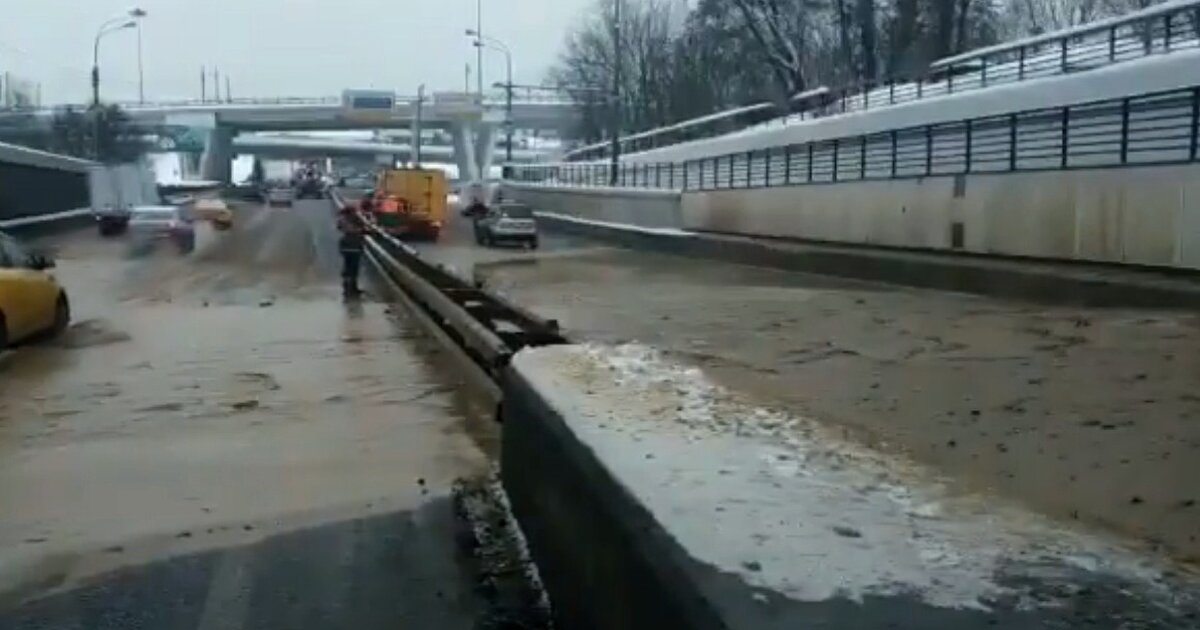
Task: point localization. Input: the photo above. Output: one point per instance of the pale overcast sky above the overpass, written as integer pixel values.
(277, 47)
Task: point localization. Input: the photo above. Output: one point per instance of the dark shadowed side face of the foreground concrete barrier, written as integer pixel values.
(604, 560)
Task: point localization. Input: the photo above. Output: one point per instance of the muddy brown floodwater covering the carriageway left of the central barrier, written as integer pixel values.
(215, 400)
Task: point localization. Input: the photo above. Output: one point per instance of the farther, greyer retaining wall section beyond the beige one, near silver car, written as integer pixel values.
(649, 209)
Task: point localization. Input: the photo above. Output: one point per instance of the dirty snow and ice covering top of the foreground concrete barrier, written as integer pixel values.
(795, 507)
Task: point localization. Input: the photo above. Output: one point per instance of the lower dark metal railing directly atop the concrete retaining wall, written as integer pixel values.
(1154, 129)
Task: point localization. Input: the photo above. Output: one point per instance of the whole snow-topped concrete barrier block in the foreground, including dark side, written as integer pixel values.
(645, 508)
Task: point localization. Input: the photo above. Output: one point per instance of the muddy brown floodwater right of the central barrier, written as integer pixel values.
(1090, 416)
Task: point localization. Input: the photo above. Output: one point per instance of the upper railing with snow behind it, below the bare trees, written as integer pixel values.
(1161, 29)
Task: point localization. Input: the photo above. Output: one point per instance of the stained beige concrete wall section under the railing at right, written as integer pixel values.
(1147, 217)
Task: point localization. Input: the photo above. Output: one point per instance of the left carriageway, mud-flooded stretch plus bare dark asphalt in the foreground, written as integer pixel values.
(220, 442)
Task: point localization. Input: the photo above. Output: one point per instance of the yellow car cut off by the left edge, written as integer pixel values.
(32, 302)
